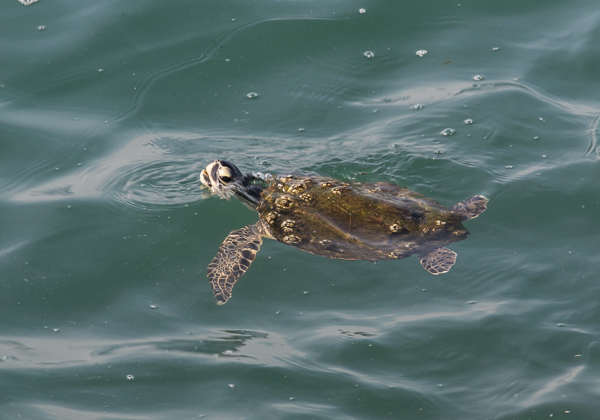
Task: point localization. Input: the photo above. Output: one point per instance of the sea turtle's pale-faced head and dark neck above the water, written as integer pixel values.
(225, 179)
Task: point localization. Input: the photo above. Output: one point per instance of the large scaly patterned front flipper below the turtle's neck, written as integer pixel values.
(235, 255)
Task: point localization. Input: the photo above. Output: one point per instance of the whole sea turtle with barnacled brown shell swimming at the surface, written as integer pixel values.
(335, 219)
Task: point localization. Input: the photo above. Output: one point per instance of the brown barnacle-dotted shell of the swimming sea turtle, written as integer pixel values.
(355, 221)
